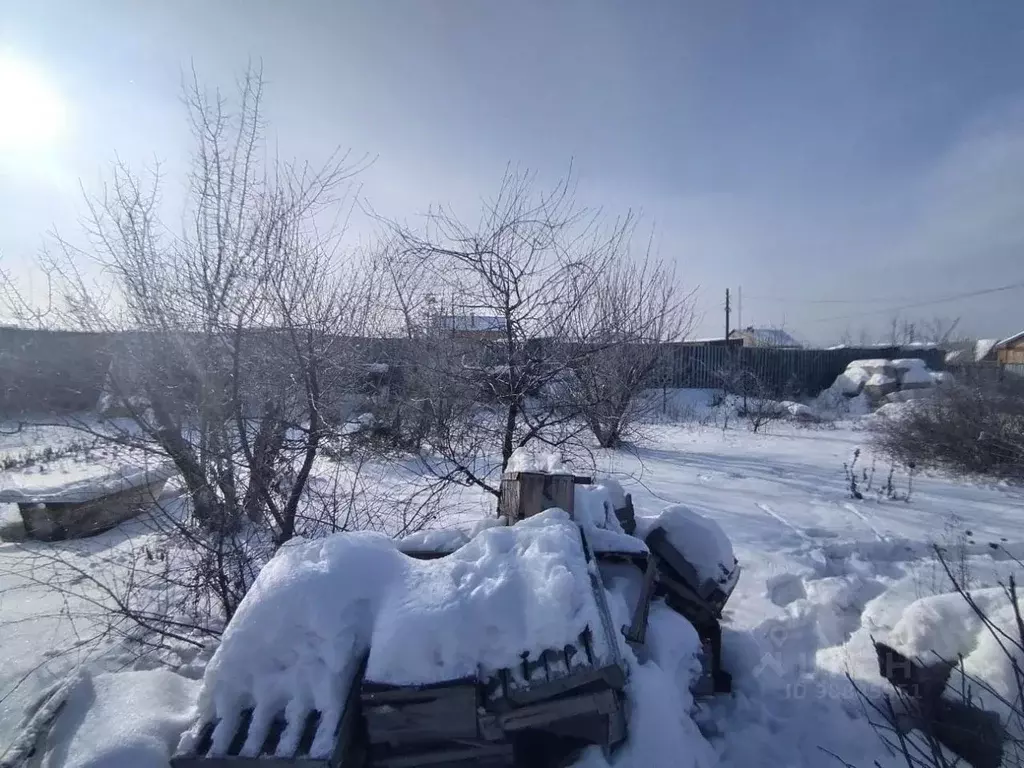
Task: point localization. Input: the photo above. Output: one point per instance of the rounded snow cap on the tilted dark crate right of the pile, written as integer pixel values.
(699, 539)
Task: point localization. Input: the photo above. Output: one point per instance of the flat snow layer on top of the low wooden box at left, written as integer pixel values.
(92, 483)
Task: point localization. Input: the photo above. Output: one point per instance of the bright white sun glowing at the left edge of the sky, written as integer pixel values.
(32, 112)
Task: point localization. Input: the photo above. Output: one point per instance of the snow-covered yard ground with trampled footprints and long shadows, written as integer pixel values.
(823, 573)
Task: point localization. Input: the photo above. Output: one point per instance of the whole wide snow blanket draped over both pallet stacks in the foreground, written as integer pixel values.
(318, 607)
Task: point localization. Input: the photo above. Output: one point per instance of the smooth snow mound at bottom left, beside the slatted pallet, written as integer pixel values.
(123, 720)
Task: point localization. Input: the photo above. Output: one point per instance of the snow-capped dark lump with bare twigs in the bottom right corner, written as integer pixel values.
(955, 662)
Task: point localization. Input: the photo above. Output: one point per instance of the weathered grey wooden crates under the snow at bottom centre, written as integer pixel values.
(553, 701)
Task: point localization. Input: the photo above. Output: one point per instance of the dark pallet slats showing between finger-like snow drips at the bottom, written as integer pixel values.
(279, 744)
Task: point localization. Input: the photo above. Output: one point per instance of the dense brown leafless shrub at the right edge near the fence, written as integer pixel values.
(962, 430)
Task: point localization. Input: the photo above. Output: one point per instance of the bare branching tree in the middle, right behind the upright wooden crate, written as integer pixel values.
(493, 365)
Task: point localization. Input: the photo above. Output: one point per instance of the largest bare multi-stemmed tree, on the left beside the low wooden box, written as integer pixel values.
(234, 339)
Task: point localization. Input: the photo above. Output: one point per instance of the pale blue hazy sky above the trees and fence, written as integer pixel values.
(866, 153)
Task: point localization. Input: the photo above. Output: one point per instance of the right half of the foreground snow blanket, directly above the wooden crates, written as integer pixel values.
(509, 591)
